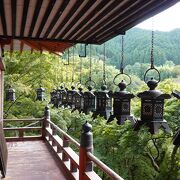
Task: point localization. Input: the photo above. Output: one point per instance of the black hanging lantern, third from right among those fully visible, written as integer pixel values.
(103, 103)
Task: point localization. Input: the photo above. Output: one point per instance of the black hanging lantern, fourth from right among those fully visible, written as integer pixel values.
(89, 101)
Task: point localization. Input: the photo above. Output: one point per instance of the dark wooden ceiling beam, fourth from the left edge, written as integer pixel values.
(35, 16)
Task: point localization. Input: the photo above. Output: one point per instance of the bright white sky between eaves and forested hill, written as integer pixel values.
(164, 21)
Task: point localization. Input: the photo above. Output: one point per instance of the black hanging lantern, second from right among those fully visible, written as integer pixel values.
(122, 104)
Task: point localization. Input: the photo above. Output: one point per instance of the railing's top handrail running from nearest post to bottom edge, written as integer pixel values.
(103, 167)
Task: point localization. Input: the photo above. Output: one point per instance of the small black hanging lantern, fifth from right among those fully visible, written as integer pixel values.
(78, 99)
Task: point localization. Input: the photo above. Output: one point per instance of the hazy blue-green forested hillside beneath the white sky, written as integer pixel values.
(137, 44)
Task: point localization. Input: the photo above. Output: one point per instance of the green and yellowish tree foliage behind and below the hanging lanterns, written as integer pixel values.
(133, 155)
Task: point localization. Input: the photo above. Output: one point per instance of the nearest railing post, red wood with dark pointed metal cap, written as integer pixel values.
(86, 145)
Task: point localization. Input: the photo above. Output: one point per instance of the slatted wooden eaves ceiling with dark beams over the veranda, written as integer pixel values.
(45, 23)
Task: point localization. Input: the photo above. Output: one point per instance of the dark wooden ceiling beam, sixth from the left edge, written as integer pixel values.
(56, 17)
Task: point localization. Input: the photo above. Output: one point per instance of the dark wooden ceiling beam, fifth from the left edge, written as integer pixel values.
(45, 17)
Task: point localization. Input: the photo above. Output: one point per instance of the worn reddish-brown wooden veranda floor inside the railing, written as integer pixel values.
(32, 160)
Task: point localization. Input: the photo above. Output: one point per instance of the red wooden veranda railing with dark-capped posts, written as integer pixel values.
(76, 158)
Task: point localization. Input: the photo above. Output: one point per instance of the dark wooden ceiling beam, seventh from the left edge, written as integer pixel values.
(68, 16)
